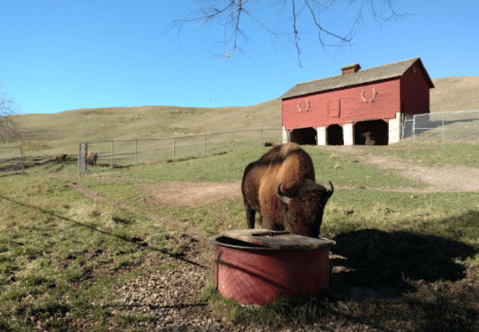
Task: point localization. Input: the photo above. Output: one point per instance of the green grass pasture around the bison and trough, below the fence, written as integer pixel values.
(65, 242)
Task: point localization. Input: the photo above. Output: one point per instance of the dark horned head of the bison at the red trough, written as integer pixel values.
(303, 206)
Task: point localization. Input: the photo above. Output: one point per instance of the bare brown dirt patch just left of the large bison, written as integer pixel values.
(180, 193)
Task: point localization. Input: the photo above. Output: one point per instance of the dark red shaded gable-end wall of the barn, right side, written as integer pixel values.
(414, 91)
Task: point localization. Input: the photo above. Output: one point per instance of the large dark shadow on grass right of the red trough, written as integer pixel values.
(378, 264)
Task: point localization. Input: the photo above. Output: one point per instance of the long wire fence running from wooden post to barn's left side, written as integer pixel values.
(117, 153)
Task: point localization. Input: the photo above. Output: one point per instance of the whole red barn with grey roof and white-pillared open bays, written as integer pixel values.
(338, 110)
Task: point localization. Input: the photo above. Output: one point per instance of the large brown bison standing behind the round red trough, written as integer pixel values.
(281, 187)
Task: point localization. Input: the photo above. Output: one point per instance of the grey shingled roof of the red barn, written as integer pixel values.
(392, 70)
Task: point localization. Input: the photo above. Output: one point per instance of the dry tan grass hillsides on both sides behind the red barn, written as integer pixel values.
(51, 134)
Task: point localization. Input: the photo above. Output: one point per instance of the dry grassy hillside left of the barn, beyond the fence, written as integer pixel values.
(55, 134)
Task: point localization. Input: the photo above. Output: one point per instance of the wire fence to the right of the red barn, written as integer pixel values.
(457, 125)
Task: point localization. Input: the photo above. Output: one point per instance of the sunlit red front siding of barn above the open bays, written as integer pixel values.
(343, 106)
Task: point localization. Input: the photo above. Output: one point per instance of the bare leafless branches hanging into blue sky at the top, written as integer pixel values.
(235, 14)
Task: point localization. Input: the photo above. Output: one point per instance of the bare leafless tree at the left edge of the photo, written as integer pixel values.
(9, 129)
